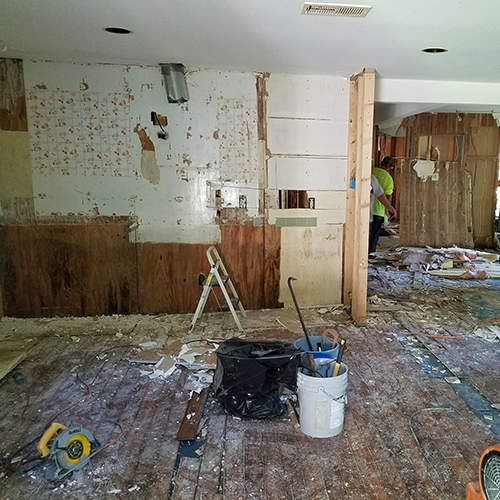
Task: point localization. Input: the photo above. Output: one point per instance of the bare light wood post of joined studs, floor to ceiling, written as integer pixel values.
(362, 90)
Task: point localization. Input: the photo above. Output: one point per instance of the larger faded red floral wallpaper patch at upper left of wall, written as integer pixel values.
(83, 133)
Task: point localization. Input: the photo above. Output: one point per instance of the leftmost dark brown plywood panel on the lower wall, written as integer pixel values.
(78, 270)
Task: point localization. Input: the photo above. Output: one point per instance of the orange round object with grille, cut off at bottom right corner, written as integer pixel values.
(488, 486)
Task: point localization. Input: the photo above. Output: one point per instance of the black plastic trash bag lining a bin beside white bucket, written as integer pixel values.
(249, 375)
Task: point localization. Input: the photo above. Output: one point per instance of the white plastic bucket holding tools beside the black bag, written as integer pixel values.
(321, 403)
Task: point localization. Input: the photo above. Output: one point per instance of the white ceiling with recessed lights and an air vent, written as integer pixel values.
(264, 36)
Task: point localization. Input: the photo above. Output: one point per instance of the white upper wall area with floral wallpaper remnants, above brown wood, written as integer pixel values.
(94, 148)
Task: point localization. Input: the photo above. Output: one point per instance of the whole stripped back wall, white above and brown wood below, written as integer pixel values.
(123, 210)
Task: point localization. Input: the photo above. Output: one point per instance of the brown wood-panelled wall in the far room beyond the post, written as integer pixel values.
(449, 197)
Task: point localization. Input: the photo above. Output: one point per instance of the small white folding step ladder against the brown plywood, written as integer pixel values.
(218, 277)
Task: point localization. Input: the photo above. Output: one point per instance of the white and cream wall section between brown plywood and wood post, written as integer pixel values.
(307, 130)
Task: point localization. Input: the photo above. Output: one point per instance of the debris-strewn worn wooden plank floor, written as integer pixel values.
(407, 434)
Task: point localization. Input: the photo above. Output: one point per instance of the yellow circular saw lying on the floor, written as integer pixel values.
(70, 447)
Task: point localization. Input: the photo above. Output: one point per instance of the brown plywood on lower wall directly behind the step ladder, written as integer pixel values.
(168, 272)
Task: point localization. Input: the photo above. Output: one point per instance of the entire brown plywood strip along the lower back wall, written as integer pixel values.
(84, 270)
